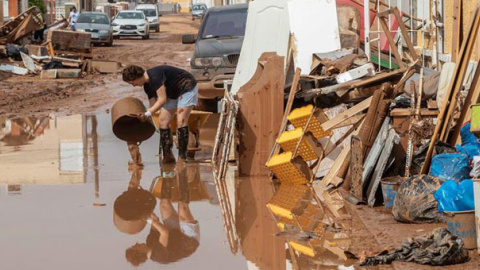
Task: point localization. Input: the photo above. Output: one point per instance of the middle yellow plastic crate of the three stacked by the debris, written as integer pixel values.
(309, 149)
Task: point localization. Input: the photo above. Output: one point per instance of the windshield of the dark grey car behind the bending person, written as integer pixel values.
(225, 23)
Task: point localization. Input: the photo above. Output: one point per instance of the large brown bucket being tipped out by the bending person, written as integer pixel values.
(125, 124)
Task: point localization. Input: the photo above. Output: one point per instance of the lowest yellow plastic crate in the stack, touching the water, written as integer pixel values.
(282, 166)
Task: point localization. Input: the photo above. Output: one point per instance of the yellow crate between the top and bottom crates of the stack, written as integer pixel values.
(288, 142)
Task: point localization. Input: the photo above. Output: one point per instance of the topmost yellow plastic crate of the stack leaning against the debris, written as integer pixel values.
(299, 118)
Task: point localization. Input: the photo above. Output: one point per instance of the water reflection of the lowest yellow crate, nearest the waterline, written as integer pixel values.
(289, 201)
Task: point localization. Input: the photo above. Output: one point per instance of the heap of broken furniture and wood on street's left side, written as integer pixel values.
(65, 54)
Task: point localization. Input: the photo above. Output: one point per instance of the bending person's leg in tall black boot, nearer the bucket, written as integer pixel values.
(166, 141)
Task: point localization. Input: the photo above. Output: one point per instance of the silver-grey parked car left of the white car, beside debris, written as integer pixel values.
(98, 25)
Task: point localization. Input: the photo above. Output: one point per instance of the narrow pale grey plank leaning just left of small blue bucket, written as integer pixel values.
(392, 139)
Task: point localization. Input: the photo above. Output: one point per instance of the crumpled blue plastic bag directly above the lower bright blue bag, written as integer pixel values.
(450, 166)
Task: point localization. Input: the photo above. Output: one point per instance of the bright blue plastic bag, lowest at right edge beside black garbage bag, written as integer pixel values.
(455, 197)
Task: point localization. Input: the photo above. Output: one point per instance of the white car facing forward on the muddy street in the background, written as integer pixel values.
(131, 23)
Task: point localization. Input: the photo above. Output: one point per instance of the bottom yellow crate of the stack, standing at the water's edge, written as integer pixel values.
(289, 171)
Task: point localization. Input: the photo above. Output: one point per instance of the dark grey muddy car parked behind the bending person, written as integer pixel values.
(217, 48)
